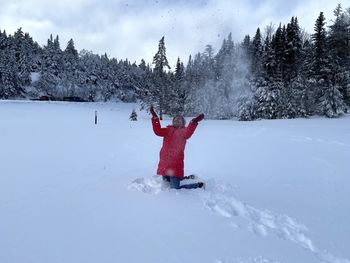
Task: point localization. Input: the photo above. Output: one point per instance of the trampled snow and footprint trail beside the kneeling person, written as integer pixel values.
(220, 199)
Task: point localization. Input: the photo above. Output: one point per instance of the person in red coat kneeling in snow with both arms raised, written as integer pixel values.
(171, 163)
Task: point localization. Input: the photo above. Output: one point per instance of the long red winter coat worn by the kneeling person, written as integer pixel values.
(172, 153)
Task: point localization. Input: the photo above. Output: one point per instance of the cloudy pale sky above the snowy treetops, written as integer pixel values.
(132, 29)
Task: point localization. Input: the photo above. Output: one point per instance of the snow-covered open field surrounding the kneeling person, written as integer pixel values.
(72, 191)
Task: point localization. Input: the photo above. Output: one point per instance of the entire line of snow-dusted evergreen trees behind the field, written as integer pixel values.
(281, 72)
